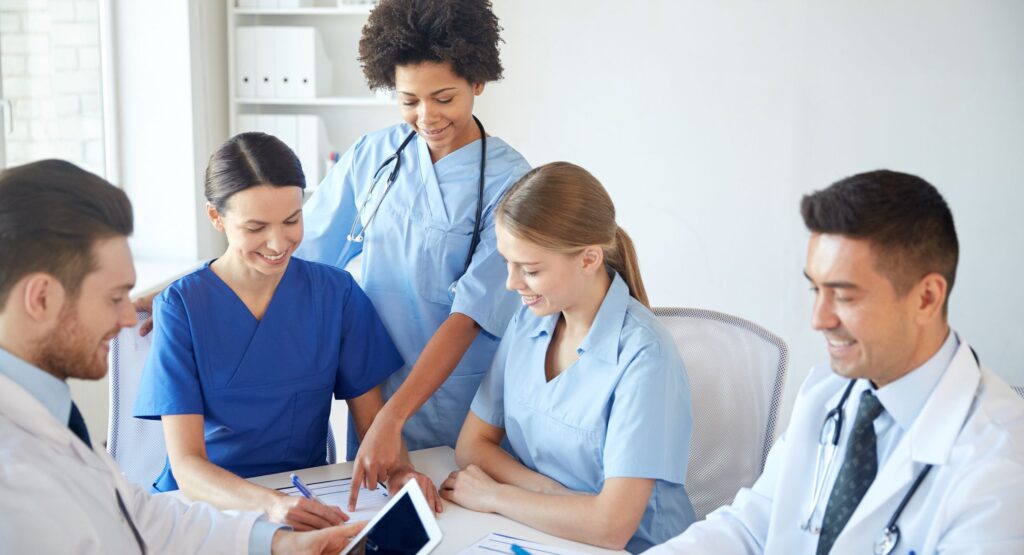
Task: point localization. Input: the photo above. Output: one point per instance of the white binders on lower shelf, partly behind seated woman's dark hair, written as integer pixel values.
(306, 135)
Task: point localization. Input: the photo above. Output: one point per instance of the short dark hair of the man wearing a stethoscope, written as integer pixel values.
(902, 216)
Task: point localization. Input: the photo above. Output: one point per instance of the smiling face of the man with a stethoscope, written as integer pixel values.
(872, 331)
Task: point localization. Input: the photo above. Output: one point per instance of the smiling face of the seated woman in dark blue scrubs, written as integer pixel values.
(264, 226)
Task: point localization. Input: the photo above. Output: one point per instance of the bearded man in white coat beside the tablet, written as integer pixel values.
(66, 272)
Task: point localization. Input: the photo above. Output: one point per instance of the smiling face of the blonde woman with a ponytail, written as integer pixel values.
(548, 282)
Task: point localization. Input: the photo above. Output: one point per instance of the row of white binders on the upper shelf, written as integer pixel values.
(281, 63)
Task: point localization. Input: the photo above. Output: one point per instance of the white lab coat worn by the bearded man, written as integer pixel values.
(57, 496)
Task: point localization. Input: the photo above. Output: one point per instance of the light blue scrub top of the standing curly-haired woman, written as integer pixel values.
(414, 249)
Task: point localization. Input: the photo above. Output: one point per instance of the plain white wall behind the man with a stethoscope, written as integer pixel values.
(708, 121)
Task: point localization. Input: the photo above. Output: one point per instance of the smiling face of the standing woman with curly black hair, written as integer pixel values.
(439, 105)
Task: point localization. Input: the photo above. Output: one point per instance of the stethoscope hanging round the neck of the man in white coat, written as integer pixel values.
(828, 444)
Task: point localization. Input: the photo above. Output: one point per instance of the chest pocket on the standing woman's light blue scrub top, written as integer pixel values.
(442, 262)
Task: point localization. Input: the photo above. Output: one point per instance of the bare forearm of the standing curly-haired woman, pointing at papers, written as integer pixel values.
(436, 364)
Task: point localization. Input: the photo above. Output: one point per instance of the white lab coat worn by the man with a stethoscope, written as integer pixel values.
(971, 429)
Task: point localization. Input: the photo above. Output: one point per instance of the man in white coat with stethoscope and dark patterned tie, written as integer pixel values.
(928, 455)
